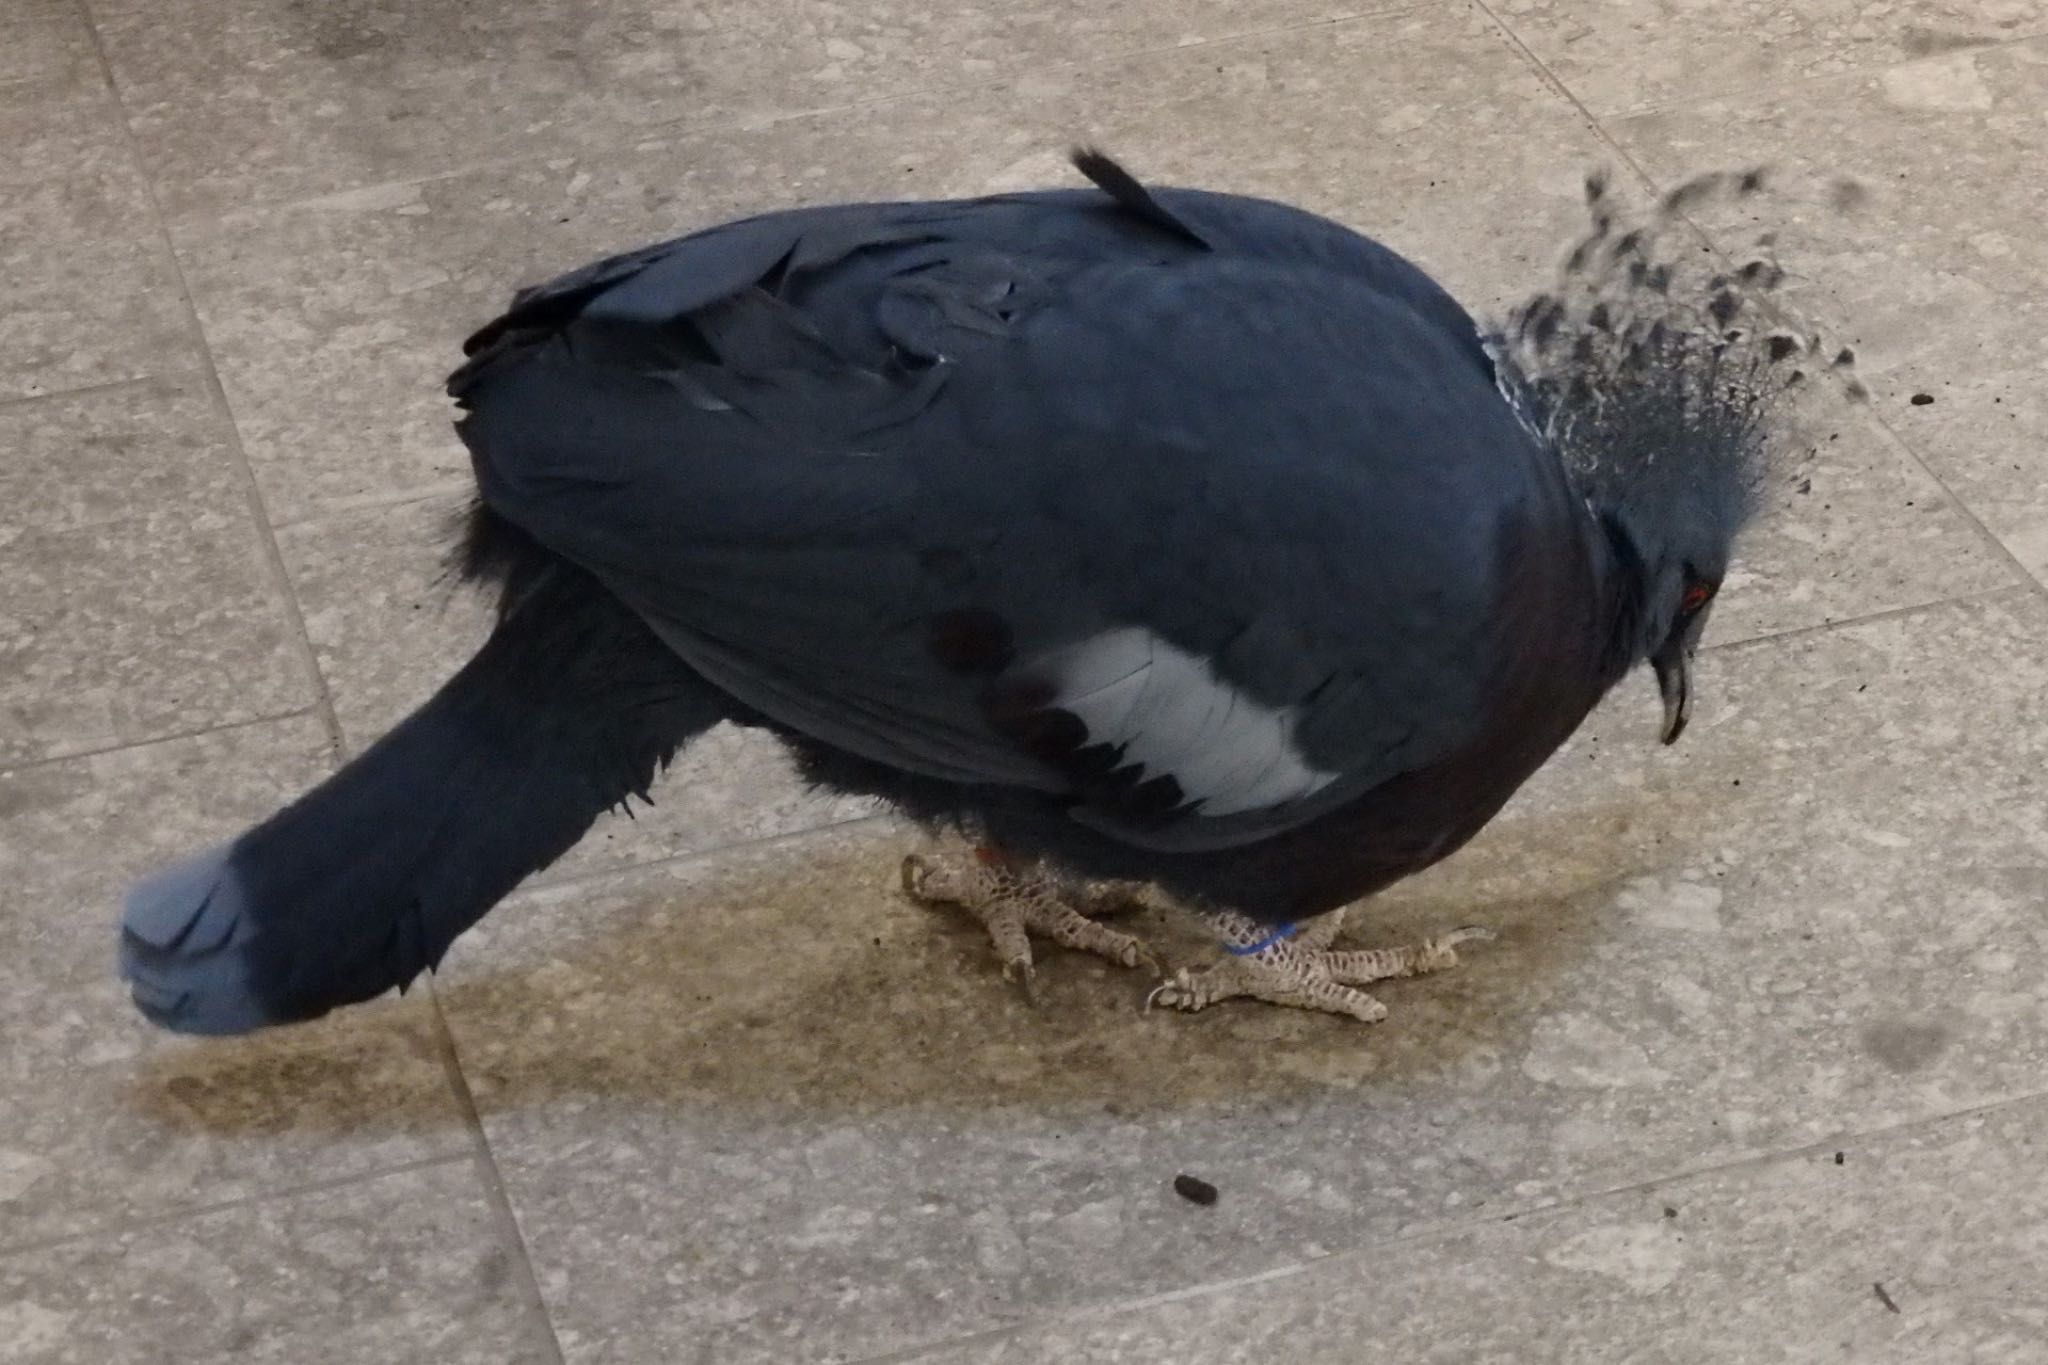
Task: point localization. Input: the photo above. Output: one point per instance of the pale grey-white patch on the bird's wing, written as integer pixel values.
(1175, 717)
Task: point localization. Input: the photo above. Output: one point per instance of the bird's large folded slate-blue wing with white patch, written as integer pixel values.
(1199, 541)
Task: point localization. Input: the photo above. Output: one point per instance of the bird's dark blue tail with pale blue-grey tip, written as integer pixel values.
(364, 883)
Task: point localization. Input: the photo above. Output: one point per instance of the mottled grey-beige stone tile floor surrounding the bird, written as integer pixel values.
(1758, 1071)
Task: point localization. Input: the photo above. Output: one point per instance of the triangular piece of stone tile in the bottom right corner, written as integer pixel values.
(1764, 1264)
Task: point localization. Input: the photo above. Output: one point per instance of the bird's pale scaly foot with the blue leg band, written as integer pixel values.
(1302, 969)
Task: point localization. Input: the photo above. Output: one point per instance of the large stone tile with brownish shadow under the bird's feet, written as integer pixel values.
(1816, 916)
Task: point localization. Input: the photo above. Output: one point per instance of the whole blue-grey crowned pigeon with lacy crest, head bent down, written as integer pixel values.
(1152, 539)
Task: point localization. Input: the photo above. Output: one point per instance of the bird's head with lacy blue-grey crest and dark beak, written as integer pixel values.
(1662, 382)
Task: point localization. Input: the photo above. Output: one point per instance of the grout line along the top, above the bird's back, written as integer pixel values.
(218, 224)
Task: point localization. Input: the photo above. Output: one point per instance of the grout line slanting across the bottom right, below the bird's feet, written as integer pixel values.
(908, 1356)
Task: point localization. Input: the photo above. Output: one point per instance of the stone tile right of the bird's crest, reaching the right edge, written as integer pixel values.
(1940, 277)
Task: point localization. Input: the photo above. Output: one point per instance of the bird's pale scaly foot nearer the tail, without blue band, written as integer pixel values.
(1015, 901)
